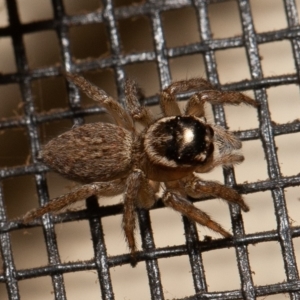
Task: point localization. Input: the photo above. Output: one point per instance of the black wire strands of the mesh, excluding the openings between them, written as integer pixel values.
(109, 15)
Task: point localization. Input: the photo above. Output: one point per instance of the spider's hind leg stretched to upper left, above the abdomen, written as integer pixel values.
(119, 114)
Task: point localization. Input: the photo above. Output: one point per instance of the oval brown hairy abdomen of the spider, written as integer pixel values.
(90, 152)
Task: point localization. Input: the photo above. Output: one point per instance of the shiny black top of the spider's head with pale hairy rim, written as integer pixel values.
(181, 140)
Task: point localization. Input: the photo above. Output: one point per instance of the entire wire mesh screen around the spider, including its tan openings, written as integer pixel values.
(250, 46)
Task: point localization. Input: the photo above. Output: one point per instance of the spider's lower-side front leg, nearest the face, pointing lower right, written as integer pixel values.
(196, 188)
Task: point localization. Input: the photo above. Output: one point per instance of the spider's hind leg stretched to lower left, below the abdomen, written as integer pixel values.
(97, 188)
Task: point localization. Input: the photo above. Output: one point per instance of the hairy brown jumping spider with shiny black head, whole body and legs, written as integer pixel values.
(117, 158)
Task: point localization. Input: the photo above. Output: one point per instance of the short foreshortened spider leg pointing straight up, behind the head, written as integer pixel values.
(139, 113)
